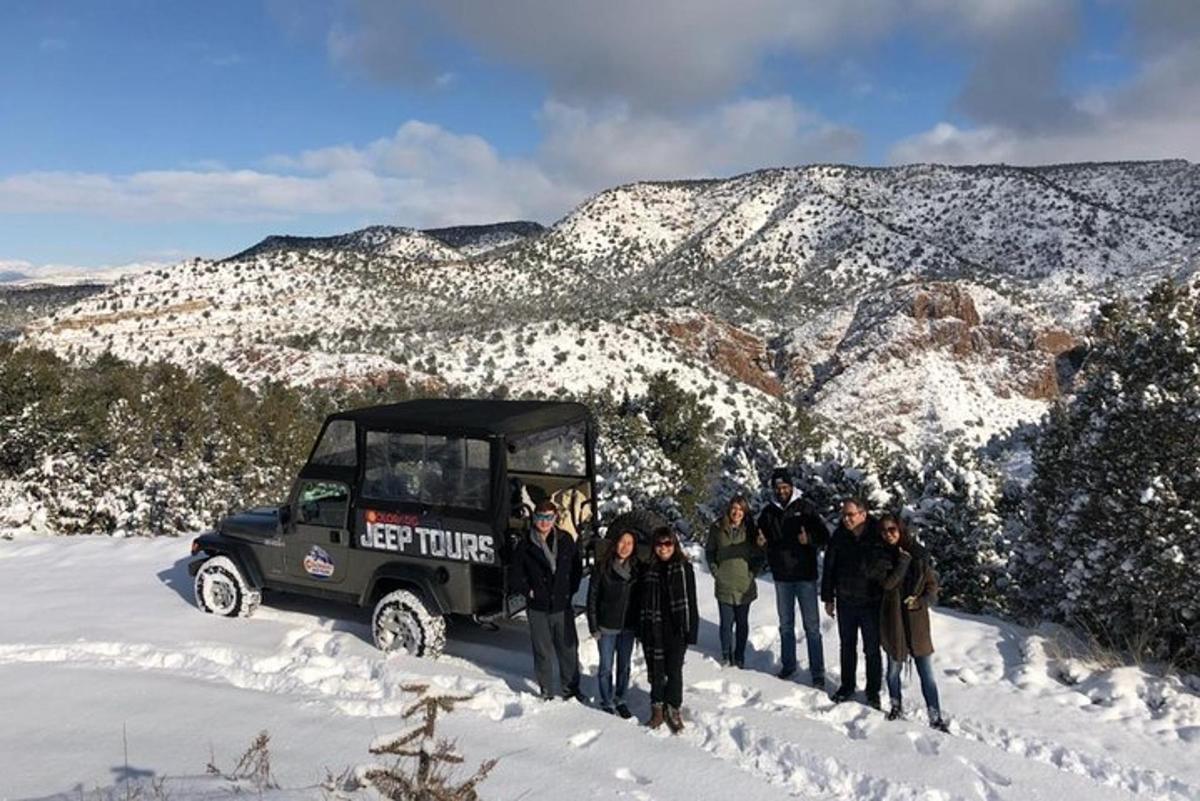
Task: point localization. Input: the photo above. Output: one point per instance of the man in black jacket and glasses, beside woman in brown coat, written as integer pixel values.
(854, 598)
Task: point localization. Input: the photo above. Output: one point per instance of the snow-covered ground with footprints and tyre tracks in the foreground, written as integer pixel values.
(107, 671)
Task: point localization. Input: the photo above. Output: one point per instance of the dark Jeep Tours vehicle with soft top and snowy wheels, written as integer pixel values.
(412, 510)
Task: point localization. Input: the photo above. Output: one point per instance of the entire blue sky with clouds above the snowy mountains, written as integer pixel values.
(137, 130)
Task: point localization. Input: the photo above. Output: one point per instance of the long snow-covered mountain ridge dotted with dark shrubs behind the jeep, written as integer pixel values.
(919, 303)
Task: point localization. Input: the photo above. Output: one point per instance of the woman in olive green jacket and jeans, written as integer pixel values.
(734, 559)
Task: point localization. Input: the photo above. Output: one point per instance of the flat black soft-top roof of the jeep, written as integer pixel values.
(469, 418)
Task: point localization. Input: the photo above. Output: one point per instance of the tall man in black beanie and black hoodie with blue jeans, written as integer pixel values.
(794, 534)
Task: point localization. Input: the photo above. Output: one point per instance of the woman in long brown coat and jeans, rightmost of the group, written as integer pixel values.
(910, 588)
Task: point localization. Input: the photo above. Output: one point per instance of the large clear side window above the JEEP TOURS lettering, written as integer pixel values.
(431, 471)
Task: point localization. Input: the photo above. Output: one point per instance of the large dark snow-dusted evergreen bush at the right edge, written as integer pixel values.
(1112, 540)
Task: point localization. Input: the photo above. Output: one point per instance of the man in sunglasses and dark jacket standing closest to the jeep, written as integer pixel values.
(548, 570)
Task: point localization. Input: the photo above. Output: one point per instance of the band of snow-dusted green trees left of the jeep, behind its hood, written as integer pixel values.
(113, 448)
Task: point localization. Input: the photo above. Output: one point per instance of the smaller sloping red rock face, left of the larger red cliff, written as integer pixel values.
(737, 353)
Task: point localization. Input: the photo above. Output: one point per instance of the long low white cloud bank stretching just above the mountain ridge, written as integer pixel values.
(428, 176)
